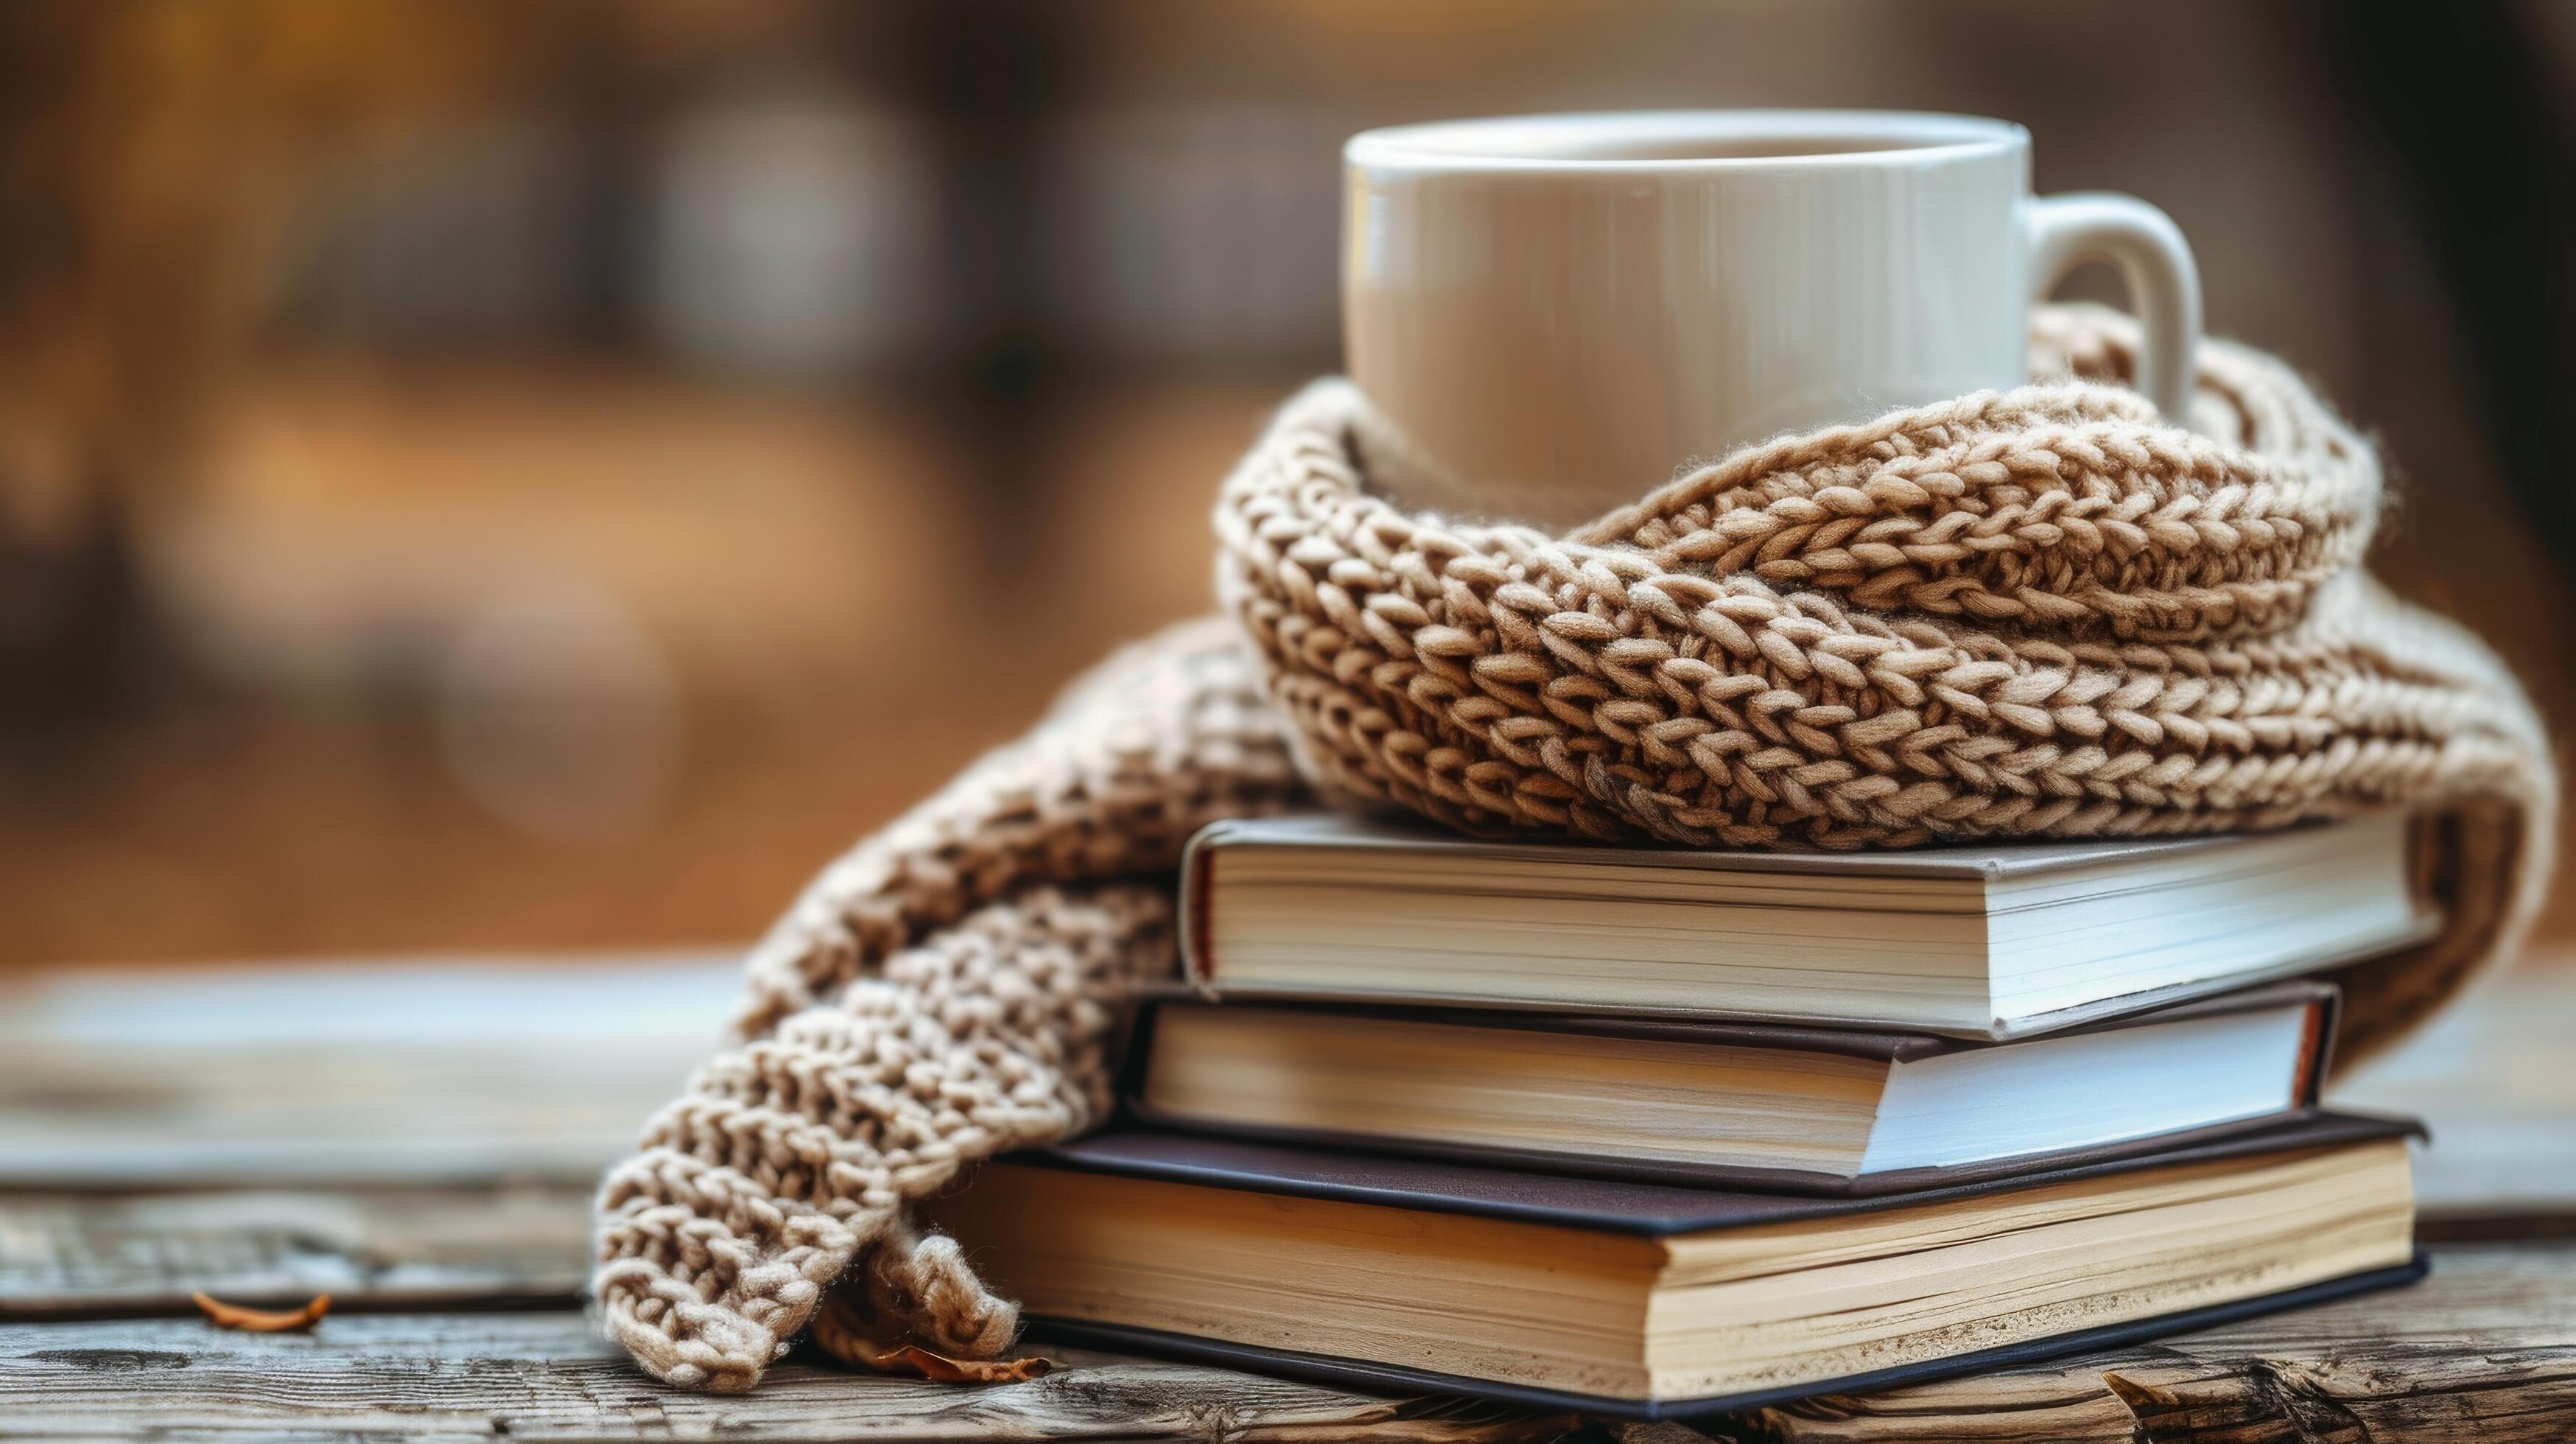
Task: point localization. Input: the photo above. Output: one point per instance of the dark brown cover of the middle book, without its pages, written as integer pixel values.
(2322, 999)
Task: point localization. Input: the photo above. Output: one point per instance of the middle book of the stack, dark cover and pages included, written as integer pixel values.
(1738, 1105)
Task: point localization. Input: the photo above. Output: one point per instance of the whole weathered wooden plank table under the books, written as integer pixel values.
(419, 1141)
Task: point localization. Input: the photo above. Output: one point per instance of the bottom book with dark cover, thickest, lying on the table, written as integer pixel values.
(1660, 1301)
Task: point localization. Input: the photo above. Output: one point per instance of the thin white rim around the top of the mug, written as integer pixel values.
(1519, 143)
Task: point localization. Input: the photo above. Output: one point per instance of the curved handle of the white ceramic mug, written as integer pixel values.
(2163, 280)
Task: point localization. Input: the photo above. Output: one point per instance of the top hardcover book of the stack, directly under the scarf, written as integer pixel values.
(1969, 942)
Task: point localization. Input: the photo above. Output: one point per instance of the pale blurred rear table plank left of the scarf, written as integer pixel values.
(365, 1074)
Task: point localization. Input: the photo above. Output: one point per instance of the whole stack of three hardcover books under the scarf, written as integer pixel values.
(1655, 1133)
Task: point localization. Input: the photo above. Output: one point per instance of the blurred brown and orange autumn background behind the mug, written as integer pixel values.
(491, 476)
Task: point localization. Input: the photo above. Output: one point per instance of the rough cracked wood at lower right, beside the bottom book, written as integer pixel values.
(2485, 1350)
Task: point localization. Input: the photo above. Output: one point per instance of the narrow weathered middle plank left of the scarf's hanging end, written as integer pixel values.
(97, 1254)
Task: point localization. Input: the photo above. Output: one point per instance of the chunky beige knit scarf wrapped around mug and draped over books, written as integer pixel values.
(2013, 615)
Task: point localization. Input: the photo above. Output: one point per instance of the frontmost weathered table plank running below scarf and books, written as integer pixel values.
(2487, 1350)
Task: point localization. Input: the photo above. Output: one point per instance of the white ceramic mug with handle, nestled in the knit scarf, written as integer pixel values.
(1557, 313)
